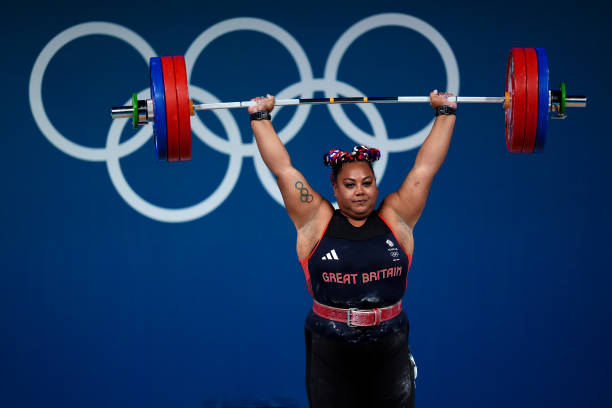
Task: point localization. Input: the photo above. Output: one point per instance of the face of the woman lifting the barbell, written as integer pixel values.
(356, 190)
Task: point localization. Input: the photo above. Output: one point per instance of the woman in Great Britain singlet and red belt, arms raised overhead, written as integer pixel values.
(356, 261)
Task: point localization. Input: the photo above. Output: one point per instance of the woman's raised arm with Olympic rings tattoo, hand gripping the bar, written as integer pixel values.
(301, 200)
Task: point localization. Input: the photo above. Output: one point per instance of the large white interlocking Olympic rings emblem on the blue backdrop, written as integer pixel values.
(233, 145)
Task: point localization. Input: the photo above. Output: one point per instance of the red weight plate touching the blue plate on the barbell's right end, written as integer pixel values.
(531, 110)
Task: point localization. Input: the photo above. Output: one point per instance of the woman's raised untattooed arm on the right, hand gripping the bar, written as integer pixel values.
(409, 201)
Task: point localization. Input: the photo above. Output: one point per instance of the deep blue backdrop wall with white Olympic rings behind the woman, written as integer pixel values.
(132, 282)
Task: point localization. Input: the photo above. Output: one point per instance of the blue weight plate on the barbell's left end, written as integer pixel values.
(160, 132)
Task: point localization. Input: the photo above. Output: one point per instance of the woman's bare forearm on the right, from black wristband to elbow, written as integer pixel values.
(433, 151)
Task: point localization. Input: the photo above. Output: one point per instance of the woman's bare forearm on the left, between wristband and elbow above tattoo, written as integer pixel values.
(271, 148)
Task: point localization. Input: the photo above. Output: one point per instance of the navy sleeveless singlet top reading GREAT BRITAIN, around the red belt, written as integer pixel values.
(363, 267)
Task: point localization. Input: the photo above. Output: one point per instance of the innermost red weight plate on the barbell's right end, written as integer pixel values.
(516, 83)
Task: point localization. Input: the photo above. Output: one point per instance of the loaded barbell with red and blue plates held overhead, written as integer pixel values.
(528, 104)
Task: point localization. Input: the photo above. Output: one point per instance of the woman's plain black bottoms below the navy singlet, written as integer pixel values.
(345, 374)
